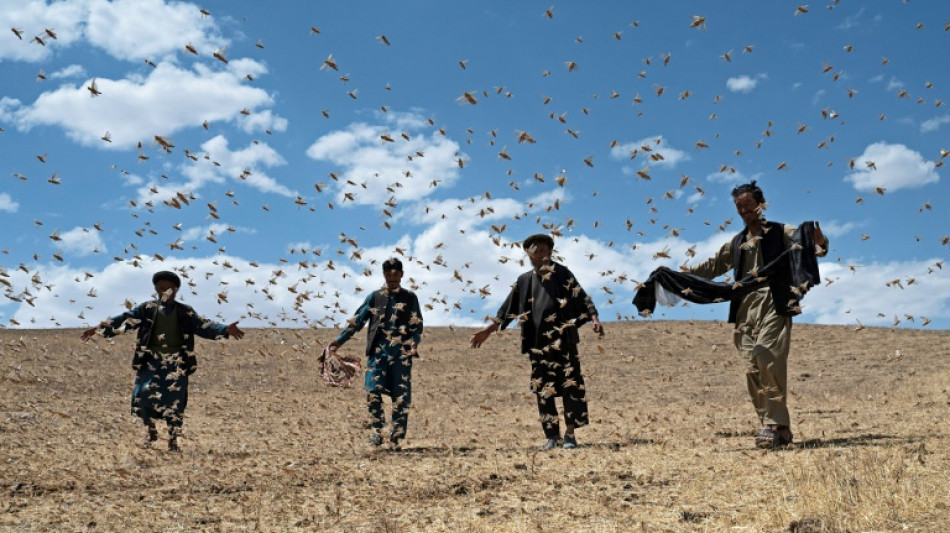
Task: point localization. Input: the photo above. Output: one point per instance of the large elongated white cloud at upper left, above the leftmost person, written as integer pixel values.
(135, 111)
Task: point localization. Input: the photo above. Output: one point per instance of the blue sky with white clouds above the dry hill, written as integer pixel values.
(445, 134)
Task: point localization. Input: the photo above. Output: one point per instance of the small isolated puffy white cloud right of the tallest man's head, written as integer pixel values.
(897, 167)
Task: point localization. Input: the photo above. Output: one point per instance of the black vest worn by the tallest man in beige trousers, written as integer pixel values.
(780, 280)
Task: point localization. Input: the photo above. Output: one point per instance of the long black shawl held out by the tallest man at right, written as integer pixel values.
(799, 260)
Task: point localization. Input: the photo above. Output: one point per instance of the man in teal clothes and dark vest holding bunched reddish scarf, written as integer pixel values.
(395, 330)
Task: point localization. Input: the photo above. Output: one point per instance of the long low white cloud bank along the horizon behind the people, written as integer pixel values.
(321, 287)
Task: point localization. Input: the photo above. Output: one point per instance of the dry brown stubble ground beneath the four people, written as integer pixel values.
(269, 447)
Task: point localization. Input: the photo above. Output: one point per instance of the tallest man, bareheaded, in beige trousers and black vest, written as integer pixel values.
(763, 318)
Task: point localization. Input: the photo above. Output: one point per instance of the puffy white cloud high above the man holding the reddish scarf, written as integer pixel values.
(365, 158)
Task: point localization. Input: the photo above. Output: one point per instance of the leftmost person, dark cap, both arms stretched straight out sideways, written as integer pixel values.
(164, 354)
